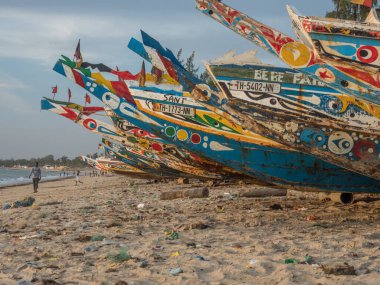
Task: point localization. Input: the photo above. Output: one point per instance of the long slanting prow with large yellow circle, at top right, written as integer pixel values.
(354, 81)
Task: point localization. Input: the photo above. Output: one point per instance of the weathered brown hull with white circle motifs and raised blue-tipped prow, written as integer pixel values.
(349, 147)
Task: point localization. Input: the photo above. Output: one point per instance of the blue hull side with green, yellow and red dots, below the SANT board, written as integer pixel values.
(267, 163)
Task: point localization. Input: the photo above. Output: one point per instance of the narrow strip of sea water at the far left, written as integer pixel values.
(10, 177)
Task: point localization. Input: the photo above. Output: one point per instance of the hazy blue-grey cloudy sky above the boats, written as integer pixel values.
(33, 35)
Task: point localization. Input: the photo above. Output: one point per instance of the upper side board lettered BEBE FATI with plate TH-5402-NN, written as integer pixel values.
(290, 92)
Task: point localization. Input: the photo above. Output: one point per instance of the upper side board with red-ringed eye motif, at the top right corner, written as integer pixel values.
(356, 43)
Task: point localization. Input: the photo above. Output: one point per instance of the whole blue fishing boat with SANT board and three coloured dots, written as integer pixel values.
(245, 152)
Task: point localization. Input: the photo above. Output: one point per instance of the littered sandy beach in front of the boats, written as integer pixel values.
(116, 230)
